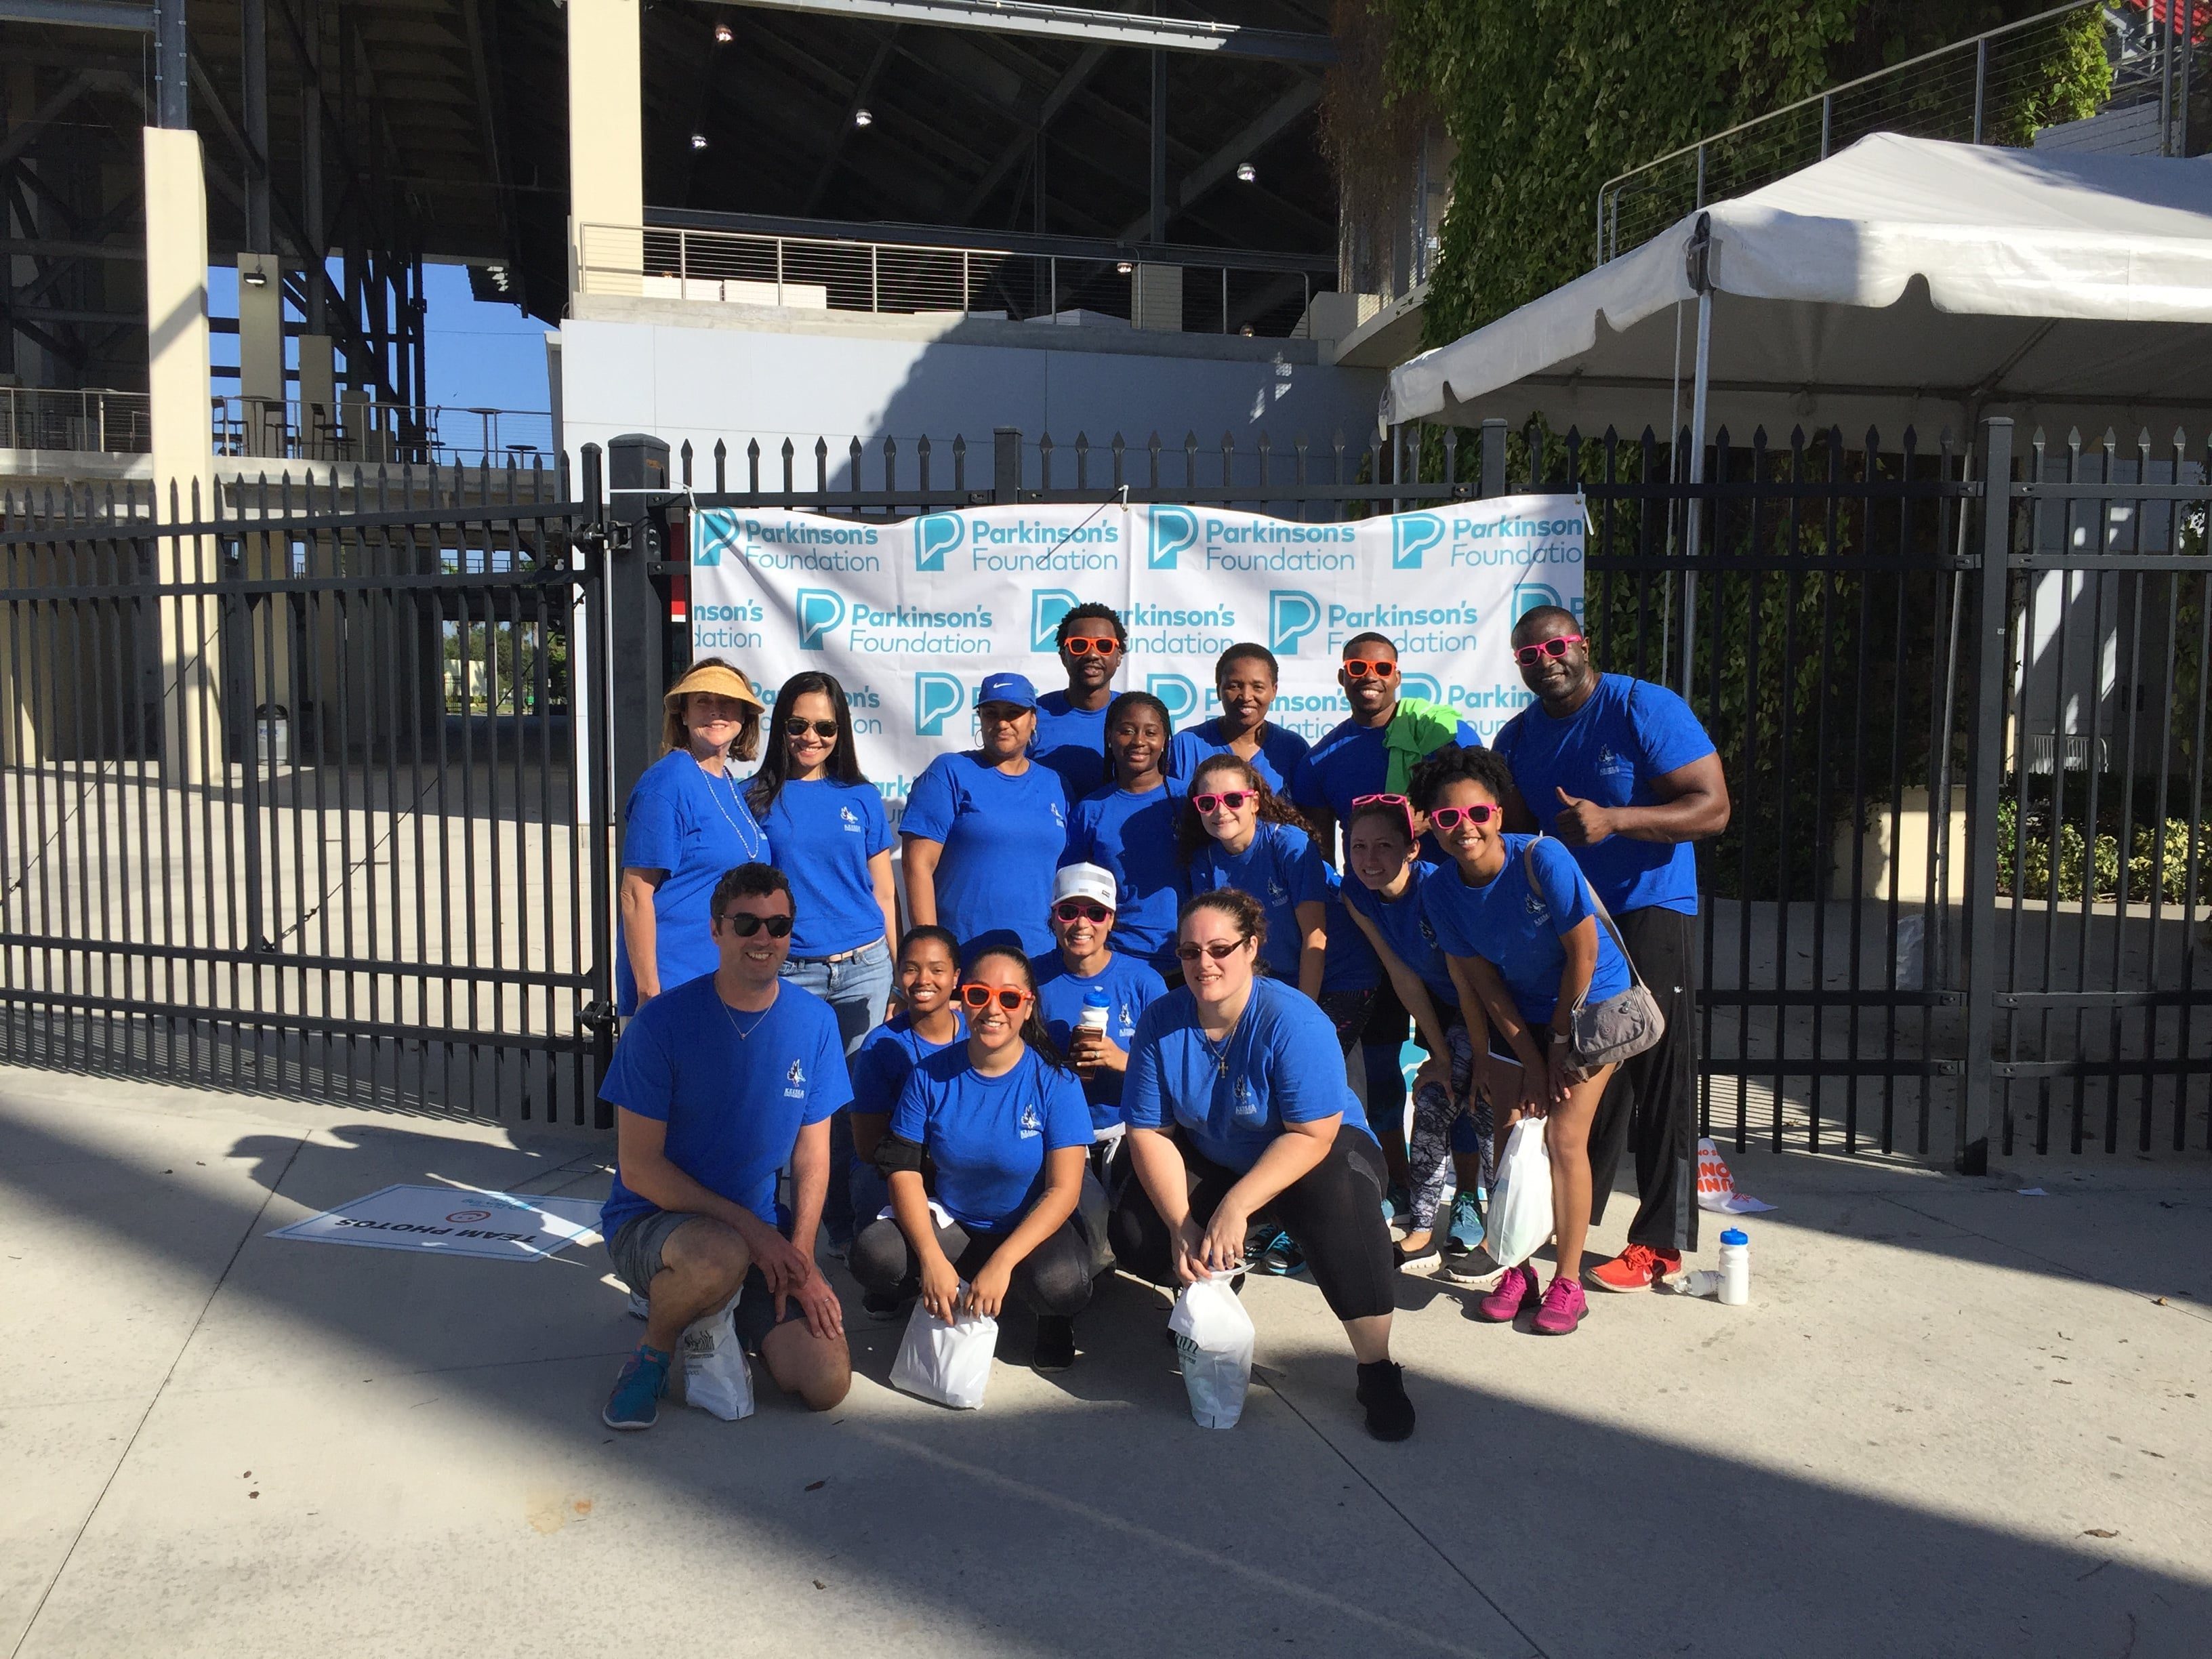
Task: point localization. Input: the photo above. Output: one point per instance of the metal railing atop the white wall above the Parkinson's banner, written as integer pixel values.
(921, 280)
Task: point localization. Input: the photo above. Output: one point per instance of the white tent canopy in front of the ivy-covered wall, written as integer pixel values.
(1897, 282)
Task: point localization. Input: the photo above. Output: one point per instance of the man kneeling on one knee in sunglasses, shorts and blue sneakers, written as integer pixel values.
(720, 1083)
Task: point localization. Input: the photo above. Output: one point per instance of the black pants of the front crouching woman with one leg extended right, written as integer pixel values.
(1335, 1215)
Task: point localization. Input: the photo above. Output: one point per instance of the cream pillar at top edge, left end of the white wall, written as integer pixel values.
(607, 149)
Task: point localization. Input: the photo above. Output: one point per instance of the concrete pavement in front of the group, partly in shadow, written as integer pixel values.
(1908, 1446)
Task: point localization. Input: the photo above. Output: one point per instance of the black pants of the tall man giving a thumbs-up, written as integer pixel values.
(1651, 1103)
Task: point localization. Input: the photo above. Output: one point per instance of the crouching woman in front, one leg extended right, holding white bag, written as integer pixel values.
(1238, 1107)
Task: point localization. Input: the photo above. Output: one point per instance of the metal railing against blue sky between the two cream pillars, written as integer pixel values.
(384, 432)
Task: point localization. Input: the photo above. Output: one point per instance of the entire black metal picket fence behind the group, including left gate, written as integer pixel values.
(1961, 904)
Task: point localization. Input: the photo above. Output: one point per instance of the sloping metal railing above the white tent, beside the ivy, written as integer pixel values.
(1945, 94)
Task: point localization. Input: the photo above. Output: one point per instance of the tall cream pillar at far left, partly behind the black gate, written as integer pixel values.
(182, 446)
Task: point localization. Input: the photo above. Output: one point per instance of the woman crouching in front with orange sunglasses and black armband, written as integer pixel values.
(1008, 1134)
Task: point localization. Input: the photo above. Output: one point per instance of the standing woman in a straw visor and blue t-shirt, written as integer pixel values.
(687, 824)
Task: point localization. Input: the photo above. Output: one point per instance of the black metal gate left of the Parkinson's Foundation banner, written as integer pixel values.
(298, 791)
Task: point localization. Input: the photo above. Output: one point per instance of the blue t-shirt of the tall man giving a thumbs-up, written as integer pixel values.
(1609, 751)
